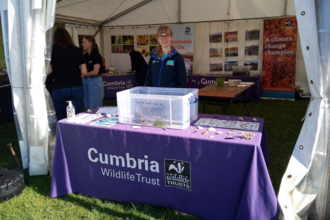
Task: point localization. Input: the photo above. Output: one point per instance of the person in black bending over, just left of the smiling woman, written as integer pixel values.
(138, 64)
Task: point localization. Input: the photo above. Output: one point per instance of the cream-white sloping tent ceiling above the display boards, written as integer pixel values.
(145, 12)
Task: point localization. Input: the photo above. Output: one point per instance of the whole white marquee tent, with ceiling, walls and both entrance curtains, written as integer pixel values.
(27, 39)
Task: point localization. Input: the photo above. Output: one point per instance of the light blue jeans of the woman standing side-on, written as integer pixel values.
(94, 92)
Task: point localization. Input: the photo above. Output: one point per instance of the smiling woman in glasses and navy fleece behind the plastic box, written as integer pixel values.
(166, 67)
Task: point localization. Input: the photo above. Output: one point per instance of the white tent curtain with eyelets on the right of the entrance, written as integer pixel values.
(305, 182)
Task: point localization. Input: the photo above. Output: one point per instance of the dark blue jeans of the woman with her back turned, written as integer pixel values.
(61, 96)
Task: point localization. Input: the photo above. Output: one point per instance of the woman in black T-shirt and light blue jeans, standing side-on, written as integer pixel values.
(93, 83)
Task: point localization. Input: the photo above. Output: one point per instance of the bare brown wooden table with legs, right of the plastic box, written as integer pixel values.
(226, 92)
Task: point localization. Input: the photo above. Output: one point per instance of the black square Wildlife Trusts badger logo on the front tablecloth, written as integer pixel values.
(178, 174)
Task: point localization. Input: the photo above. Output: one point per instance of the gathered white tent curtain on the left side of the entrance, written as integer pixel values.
(27, 27)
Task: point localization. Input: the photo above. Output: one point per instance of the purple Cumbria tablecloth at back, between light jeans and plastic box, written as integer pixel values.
(117, 83)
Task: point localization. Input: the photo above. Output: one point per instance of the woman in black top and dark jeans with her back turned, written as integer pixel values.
(67, 67)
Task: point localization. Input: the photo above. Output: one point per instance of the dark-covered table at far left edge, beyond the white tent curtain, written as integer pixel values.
(6, 104)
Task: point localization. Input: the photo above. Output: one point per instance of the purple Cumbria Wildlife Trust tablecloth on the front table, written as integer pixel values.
(213, 178)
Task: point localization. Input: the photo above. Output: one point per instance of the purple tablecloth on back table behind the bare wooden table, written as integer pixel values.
(252, 94)
